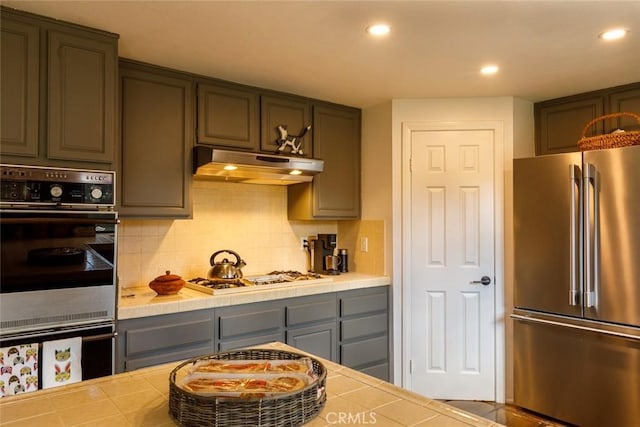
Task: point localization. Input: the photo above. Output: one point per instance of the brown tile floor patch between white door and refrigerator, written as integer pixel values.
(508, 415)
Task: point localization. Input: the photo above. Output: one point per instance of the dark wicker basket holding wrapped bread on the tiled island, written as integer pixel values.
(293, 409)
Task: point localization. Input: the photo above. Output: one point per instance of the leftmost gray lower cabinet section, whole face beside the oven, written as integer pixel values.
(148, 341)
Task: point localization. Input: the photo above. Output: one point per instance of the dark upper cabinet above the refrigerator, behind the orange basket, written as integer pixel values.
(559, 123)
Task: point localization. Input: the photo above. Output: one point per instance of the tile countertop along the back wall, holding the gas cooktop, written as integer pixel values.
(142, 301)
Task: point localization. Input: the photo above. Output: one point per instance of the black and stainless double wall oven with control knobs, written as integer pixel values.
(58, 267)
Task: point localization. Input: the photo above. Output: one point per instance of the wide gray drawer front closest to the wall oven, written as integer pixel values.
(155, 338)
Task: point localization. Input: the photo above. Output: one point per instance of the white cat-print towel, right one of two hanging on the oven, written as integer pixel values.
(61, 362)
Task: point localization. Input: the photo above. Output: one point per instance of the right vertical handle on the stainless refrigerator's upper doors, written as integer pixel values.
(590, 235)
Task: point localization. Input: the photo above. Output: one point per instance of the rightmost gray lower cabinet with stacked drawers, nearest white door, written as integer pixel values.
(364, 330)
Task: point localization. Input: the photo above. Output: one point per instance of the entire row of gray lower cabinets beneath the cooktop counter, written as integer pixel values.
(348, 327)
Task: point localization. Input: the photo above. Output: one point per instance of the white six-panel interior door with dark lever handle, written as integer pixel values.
(451, 244)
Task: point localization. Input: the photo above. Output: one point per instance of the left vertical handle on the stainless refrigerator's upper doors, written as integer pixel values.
(576, 196)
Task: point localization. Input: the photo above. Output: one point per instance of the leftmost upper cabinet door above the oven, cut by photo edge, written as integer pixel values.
(20, 88)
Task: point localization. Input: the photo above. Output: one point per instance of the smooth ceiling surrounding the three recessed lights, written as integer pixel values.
(319, 49)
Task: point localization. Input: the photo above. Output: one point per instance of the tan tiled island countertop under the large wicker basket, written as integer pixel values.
(140, 398)
